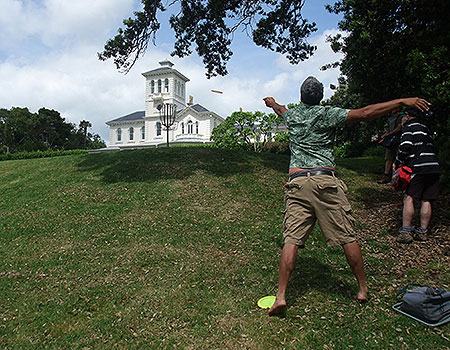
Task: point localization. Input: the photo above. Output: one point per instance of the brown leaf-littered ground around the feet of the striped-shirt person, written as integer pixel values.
(380, 219)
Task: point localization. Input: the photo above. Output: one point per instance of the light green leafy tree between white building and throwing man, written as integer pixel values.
(246, 130)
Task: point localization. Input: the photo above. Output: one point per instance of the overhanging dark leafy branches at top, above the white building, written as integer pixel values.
(209, 27)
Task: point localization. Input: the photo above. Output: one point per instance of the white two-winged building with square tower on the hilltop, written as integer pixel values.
(193, 124)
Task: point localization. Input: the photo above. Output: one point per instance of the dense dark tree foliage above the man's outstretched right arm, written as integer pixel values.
(396, 48)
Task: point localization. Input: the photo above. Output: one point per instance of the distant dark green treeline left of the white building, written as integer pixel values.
(24, 131)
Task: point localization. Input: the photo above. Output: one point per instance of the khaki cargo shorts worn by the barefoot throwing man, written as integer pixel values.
(322, 198)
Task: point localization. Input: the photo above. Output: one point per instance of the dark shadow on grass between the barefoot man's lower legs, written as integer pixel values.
(312, 274)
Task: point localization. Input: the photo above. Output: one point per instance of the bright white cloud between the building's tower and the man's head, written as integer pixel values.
(276, 77)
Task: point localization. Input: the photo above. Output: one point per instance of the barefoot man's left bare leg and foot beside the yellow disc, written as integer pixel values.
(287, 263)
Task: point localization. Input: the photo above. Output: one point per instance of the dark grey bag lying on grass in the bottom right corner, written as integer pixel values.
(429, 305)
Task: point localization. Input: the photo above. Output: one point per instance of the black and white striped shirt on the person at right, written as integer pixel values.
(416, 148)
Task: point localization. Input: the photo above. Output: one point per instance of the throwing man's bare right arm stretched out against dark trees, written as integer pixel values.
(377, 110)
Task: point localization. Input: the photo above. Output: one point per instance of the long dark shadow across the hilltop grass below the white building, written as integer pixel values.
(150, 165)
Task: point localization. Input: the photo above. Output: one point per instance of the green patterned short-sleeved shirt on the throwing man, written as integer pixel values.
(312, 131)
